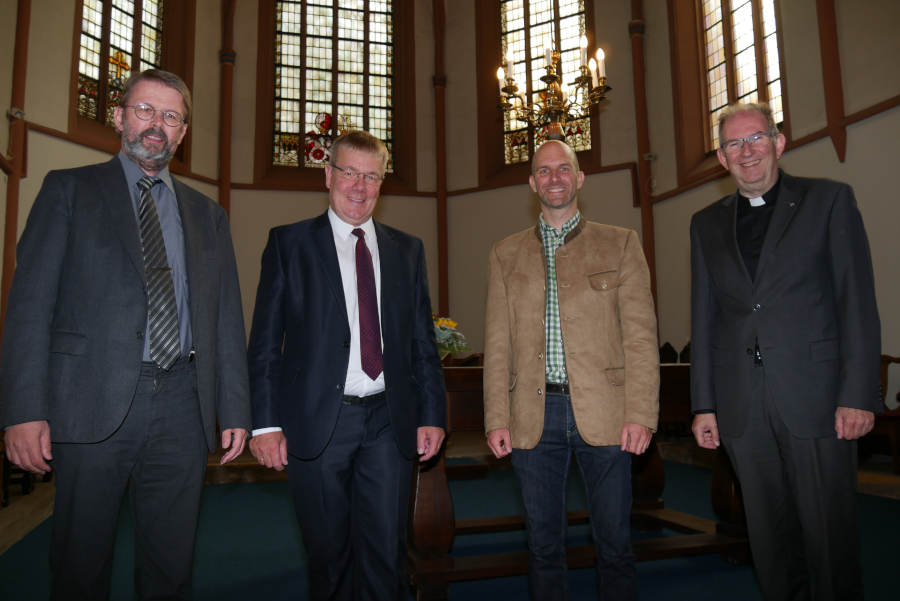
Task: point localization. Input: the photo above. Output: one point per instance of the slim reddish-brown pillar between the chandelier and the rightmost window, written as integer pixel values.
(636, 31)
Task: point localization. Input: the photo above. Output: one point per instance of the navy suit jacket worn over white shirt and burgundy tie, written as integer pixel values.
(300, 338)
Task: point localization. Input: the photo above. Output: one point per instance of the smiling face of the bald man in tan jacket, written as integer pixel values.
(556, 179)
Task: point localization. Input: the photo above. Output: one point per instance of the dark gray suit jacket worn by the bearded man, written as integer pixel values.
(73, 336)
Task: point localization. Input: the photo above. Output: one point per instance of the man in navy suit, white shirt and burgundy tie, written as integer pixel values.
(346, 383)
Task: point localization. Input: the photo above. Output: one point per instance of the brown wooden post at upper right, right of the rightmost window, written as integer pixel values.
(831, 76)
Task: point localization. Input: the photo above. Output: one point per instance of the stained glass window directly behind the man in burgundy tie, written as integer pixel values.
(333, 72)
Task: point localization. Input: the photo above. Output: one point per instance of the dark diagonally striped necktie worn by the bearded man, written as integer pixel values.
(161, 306)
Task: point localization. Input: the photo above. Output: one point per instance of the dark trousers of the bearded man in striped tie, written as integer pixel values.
(159, 454)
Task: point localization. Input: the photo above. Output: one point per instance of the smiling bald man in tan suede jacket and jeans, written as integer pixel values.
(571, 364)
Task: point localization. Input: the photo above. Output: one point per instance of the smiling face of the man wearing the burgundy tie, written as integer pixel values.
(353, 200)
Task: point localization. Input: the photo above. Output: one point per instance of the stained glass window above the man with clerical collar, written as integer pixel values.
(742, 59)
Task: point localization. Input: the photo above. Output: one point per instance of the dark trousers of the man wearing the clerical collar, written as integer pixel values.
(800, 500)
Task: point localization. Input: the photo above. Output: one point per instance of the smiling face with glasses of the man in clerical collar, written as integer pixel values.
(754, 168)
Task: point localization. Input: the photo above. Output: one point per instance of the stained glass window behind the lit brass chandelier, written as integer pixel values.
(527, 27)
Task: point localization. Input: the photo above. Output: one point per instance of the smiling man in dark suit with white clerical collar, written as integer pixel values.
(785, 344)
